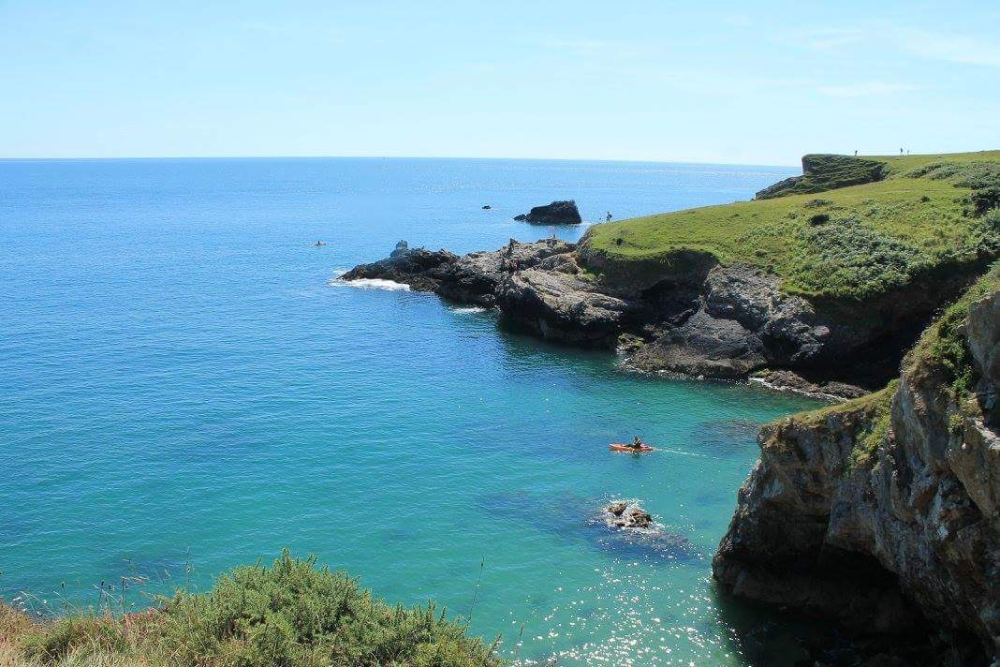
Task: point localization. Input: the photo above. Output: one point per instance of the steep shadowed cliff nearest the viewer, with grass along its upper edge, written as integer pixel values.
(883, 512)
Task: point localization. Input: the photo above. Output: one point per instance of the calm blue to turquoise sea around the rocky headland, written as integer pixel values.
(182, 390)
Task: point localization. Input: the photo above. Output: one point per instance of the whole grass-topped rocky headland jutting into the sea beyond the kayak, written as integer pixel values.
(828, 307)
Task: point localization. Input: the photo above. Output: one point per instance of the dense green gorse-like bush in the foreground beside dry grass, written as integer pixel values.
(295, 613)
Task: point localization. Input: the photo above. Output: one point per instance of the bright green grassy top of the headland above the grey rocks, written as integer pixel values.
(854, 242)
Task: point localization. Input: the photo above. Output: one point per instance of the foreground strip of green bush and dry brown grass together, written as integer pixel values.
(292, 613)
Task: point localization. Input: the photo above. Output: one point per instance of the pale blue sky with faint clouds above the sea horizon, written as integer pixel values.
(734, 82)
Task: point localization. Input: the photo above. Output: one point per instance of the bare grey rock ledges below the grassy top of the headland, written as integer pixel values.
(702, 319)
